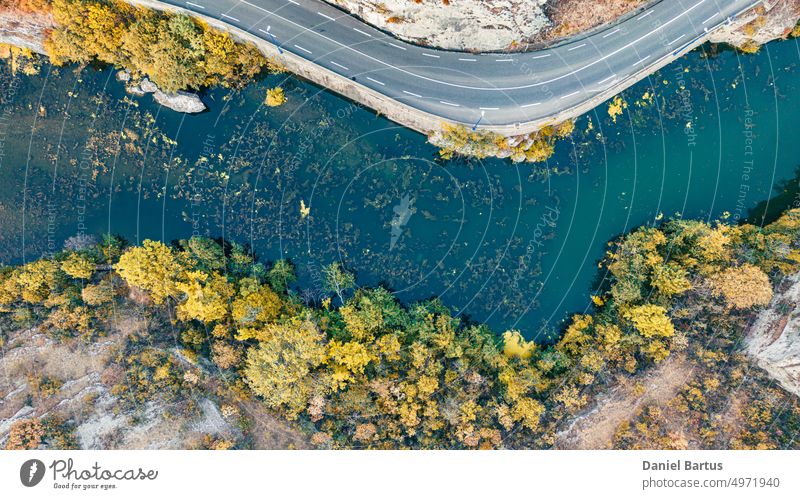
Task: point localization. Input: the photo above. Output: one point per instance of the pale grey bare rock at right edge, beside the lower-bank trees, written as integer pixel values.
(773, 341)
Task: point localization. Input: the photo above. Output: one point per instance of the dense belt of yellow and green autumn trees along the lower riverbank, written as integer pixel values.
(359, 369)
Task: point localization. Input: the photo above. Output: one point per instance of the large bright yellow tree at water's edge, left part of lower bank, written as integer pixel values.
(152, 267)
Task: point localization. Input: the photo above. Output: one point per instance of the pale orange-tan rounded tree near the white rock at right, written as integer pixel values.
(742, 287)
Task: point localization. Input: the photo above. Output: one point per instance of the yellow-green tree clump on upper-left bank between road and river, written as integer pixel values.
(174, 51)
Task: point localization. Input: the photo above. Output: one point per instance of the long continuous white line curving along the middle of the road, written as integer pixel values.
(599, 60)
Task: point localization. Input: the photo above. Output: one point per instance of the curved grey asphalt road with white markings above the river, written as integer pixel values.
(490, 88)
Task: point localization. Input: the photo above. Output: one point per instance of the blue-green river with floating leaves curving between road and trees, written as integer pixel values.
(515, 245)
